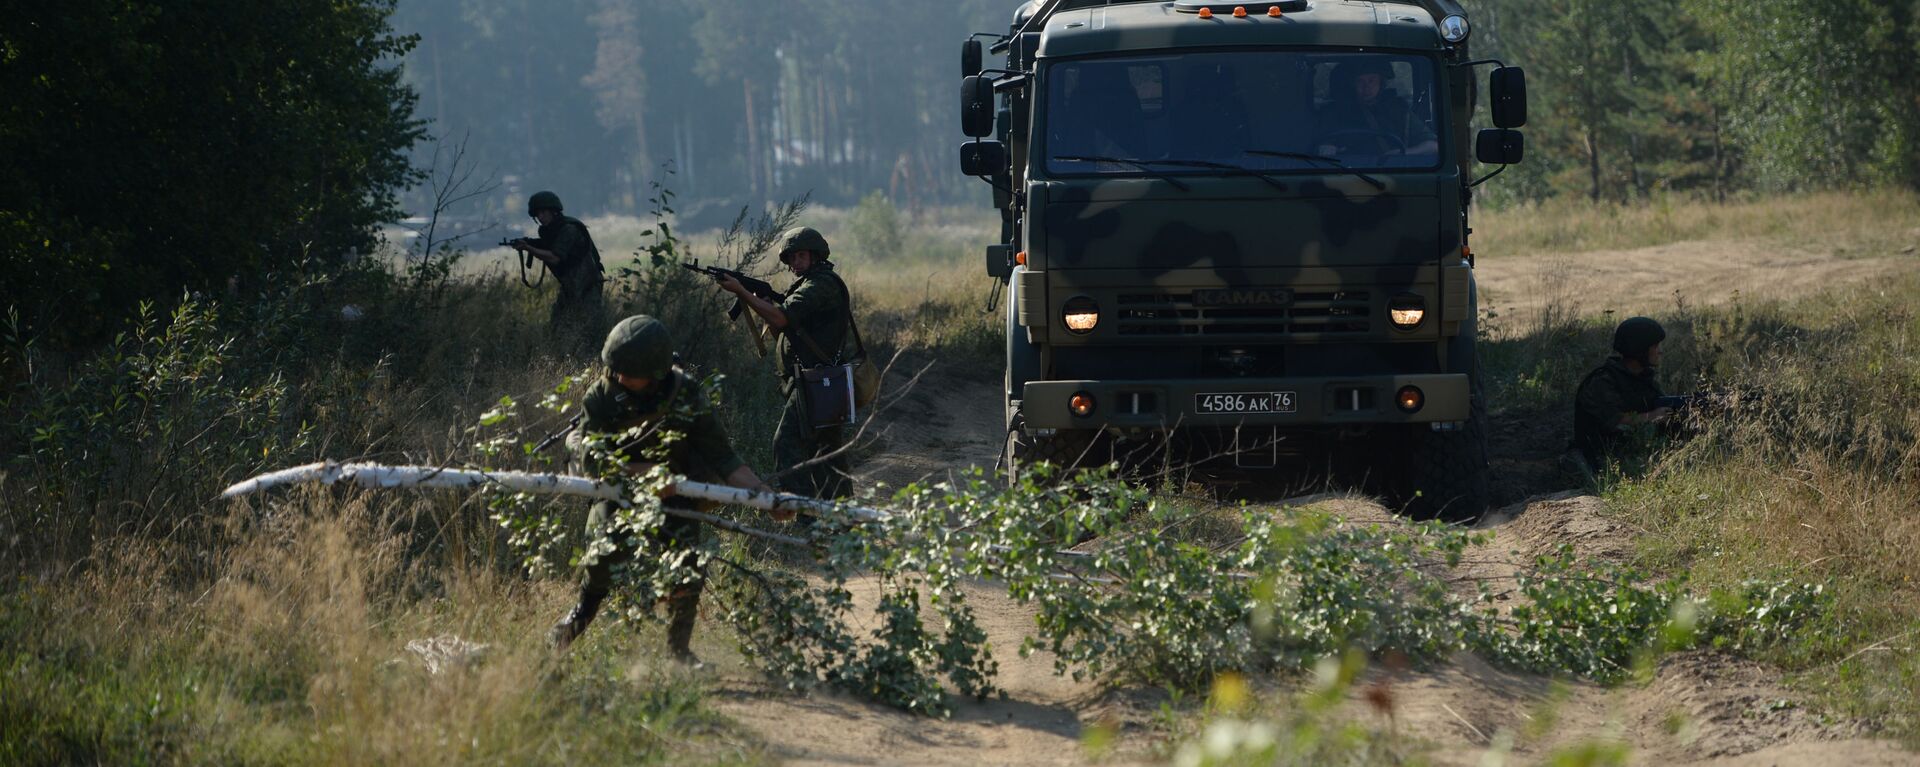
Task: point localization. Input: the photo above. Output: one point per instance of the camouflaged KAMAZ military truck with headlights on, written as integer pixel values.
(1241, 230)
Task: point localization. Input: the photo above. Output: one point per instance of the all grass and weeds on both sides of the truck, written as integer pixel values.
(141, 624)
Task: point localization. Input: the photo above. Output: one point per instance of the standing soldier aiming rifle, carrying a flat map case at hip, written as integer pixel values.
(813, 322)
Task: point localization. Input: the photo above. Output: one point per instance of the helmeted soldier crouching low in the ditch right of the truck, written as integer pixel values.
(1621, 399)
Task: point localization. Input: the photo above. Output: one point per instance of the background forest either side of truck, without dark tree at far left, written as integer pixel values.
(754, 101)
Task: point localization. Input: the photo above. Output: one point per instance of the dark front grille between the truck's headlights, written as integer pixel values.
(1176, 314)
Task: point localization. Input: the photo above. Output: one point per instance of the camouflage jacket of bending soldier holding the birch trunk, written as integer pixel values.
(702, 453)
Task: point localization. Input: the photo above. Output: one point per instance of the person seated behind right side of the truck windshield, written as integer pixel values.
(1368, 118)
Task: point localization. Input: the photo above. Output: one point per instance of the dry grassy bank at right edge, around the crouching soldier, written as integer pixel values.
(1817, 482)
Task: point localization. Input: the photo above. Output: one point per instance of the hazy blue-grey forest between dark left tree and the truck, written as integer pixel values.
(748, 101)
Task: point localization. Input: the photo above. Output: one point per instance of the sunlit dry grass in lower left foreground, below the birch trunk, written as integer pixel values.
(297, 653)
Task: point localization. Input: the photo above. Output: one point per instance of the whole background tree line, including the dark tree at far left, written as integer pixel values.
(151, 149)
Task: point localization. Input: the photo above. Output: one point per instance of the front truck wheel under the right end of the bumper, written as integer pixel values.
(1449, 468)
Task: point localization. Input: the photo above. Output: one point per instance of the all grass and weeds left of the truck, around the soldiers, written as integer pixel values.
(143, 624)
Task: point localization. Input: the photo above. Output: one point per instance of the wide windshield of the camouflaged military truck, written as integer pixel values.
(1255, 111)
